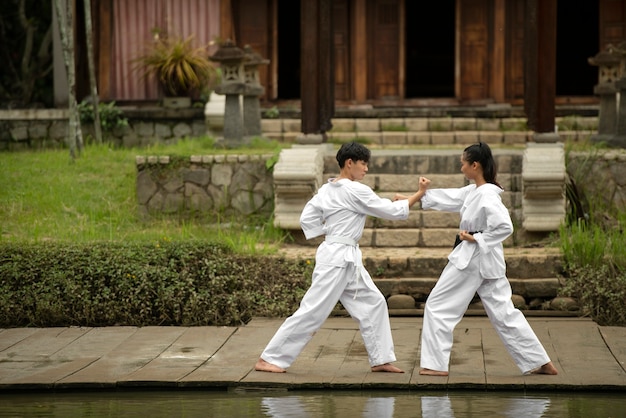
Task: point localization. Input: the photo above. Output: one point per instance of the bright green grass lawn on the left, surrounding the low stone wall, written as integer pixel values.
(45, 195)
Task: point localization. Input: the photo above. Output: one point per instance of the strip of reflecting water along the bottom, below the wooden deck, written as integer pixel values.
(313, 404)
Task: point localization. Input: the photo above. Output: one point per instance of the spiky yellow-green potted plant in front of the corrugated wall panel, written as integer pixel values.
(181, 69)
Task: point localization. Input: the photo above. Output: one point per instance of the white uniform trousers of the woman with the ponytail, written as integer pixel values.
(449, 300)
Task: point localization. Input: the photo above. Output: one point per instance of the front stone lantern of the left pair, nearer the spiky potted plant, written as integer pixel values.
(231, 59)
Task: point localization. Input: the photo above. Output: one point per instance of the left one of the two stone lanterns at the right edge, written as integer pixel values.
(608, 63)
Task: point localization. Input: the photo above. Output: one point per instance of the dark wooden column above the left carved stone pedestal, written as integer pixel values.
(317, 81)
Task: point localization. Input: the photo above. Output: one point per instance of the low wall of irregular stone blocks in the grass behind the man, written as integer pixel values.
(205, 185)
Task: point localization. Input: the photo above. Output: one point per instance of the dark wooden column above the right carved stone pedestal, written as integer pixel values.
(540, 64)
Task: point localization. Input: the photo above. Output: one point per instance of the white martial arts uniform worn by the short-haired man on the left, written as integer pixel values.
(339, 210)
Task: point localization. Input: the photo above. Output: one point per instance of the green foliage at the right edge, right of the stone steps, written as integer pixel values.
(593, 242)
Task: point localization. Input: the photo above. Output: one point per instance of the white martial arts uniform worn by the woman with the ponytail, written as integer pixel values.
(476, 267)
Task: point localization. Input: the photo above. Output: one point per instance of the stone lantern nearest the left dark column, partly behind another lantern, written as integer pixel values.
(253, 90)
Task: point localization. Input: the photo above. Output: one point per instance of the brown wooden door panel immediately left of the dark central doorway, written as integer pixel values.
(383, 39)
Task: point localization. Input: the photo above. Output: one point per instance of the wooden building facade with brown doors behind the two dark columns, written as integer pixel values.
(384, 52)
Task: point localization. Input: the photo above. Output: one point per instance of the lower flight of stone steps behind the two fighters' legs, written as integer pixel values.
(407, 275)
